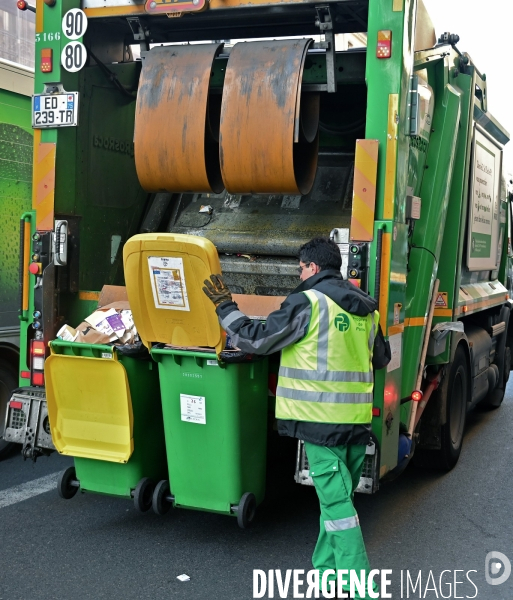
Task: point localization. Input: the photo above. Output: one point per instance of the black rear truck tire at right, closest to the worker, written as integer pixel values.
(456, 401)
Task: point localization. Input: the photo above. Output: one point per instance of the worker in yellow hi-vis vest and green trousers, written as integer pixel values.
(328, 332)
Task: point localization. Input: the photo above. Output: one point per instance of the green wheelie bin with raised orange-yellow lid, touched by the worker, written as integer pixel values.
(215, 412)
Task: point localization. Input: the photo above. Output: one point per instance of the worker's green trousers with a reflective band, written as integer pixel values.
(336, 472)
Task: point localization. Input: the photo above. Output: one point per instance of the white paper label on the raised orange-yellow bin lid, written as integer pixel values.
(168, 282)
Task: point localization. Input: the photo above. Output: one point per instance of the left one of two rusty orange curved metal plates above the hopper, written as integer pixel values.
(176, 138)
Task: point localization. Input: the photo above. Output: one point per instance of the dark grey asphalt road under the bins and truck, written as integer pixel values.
(96, 547)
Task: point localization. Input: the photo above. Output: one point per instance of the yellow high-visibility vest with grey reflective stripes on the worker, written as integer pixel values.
(327, 376)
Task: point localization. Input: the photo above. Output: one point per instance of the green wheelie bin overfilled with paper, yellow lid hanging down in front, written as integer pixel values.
(104, 410)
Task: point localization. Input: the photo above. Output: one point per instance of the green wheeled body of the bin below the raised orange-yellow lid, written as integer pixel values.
(215, 422)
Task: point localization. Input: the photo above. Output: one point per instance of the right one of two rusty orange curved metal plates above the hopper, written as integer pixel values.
(269, 130)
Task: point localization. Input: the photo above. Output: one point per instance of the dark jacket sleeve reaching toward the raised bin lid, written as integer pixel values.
(282, 327)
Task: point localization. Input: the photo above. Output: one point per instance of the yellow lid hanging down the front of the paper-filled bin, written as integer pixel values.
(90, 407)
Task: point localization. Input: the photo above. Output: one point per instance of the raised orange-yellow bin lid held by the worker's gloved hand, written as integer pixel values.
(164, 275)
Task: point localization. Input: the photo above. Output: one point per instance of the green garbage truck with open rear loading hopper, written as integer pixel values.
(150, 118)
